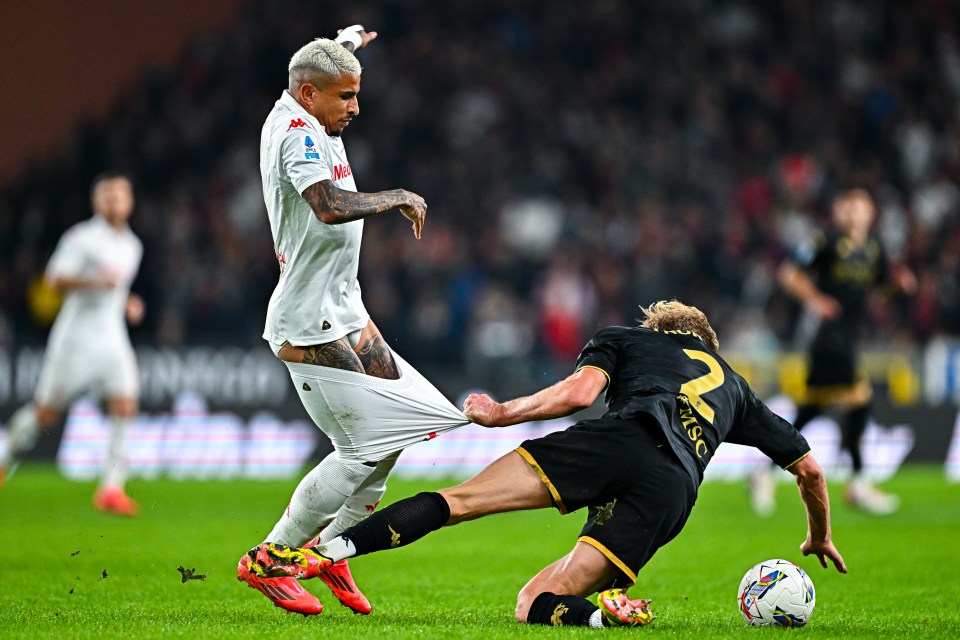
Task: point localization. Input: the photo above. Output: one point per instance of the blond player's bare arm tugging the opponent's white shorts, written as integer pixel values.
(567, 396)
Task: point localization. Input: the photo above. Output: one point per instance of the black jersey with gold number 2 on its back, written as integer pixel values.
(674, 379)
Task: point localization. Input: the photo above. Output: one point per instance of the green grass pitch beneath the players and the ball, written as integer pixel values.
(459, 582)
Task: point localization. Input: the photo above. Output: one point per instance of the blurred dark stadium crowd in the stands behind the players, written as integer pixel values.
(579, 159)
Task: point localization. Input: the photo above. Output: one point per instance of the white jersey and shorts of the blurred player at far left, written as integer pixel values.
(89, 347)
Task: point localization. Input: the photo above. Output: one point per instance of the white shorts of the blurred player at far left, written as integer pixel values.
(102, 370)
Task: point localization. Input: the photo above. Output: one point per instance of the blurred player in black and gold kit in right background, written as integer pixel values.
(833, 276)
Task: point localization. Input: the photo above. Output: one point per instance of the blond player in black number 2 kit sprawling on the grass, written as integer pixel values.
(671, 400)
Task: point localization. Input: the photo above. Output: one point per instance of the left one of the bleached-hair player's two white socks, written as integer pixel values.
(317, 499)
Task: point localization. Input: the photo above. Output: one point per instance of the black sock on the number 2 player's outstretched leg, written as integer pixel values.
(399, 524)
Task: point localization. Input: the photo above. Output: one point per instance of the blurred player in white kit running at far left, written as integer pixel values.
(89, 349)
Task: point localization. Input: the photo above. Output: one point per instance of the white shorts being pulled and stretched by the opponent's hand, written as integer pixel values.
(368, 418)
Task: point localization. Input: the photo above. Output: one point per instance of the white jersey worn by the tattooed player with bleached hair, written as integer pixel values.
(317, 299)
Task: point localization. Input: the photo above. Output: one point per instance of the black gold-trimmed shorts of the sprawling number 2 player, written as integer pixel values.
(639, 495)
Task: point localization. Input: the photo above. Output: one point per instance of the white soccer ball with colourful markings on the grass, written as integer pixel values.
(777, 593)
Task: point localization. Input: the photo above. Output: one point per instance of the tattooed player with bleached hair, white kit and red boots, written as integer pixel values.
(365, 398)
